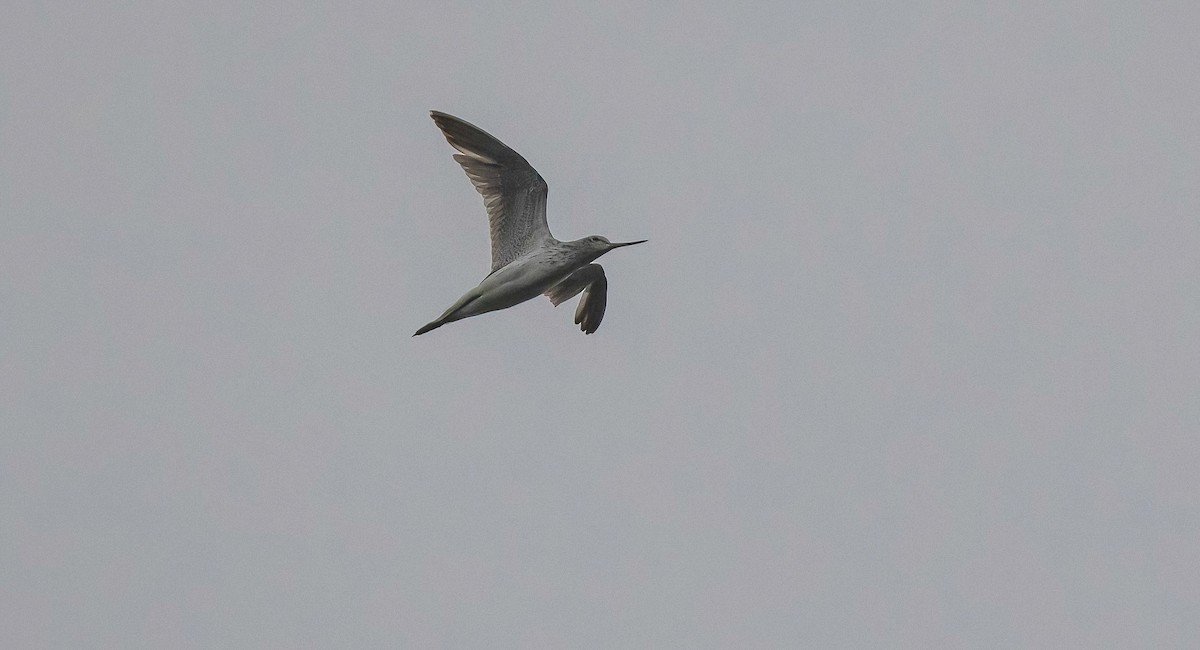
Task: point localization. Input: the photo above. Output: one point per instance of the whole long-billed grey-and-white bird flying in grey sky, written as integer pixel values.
(527, 261)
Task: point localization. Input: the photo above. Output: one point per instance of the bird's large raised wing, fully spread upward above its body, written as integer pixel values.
(514, 192)
